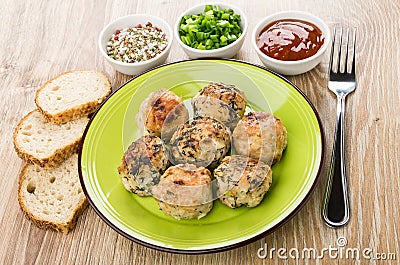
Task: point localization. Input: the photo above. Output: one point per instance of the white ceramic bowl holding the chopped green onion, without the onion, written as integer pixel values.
(224, 52)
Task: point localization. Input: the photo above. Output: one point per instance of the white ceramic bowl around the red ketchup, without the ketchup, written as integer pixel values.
(292, 67)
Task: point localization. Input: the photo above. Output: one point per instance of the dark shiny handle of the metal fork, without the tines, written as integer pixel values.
(336, 207)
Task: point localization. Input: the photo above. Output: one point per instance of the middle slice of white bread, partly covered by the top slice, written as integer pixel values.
(40, 142)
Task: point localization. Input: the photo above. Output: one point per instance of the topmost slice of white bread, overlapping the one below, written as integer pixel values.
(72, 95)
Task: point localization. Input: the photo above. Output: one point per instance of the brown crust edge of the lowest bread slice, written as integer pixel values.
(64, 227)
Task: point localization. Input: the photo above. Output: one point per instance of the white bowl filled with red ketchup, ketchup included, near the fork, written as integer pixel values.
(291, 42)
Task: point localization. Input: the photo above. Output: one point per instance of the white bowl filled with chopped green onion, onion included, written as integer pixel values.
(211, 30)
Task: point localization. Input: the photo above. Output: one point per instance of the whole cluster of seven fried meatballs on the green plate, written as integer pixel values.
(219, 153)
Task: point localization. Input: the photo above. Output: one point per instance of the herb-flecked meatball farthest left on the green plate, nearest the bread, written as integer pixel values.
(142, 165)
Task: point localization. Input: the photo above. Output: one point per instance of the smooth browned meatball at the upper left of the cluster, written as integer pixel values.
(162, 113)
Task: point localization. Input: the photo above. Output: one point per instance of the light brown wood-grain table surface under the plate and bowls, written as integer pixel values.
(41, 39)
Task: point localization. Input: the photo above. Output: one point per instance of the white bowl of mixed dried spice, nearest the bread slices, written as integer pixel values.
(135, 43)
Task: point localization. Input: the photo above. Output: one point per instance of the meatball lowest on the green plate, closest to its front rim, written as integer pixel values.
(184, 192)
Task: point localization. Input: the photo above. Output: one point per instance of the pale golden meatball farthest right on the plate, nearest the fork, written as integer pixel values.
(260, 135)
